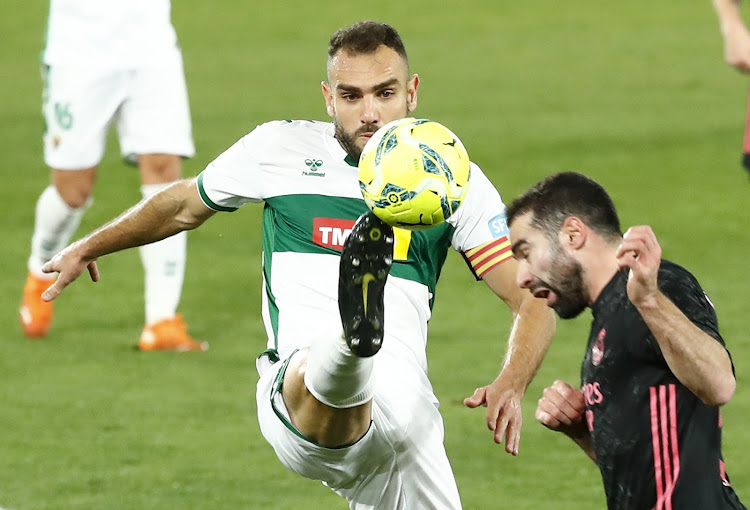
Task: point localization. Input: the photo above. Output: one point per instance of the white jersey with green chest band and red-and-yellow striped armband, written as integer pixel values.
(311, 193)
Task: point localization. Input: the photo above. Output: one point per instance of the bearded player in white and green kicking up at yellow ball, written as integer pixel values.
(367, 425)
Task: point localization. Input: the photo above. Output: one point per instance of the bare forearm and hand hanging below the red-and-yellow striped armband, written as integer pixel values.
(529, 340)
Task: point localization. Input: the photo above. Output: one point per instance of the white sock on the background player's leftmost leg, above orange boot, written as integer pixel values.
(54, 225)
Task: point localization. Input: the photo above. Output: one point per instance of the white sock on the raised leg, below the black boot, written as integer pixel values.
(336, 377)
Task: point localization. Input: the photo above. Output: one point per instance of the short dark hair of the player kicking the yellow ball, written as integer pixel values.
(365, 37)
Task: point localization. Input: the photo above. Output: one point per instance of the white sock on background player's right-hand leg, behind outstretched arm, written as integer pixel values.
(164, 267)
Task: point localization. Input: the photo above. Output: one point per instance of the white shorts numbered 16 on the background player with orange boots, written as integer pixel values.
(149, 104)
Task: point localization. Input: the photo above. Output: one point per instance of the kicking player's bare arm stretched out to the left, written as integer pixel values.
(166, 213)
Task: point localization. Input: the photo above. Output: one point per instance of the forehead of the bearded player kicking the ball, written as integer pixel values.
(381, 65)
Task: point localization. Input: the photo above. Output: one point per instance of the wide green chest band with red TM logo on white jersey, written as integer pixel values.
(317, 224)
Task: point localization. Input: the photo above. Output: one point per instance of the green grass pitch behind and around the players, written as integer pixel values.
(635, 94)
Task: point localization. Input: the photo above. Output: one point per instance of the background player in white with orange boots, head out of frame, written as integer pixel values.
(112, 61)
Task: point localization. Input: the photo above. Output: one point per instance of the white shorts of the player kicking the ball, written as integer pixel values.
(399, 464)
